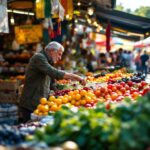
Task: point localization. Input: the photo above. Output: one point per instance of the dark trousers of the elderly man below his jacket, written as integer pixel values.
(24, 114)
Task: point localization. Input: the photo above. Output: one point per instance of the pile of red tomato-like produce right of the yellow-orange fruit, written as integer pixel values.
(118, 91)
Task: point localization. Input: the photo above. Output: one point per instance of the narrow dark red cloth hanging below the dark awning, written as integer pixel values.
(108, 34)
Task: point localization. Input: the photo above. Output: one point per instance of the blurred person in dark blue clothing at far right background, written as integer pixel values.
(144, 63)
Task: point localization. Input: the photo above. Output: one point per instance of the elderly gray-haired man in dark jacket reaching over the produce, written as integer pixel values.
(38, 76)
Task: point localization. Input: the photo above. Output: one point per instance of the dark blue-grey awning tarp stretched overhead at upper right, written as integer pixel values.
(124, 21)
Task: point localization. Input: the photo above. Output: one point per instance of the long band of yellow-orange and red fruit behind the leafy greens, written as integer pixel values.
(114, 91)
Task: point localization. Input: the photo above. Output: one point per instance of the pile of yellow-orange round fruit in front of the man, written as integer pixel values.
(77, 98)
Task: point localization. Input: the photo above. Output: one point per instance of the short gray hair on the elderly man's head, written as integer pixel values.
(54, 45)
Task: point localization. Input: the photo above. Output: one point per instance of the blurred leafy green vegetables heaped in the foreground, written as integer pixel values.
(124, 126)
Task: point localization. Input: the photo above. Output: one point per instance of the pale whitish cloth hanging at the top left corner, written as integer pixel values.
(3, 17)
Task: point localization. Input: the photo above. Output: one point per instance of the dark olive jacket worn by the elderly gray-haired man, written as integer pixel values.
(37, 82)
